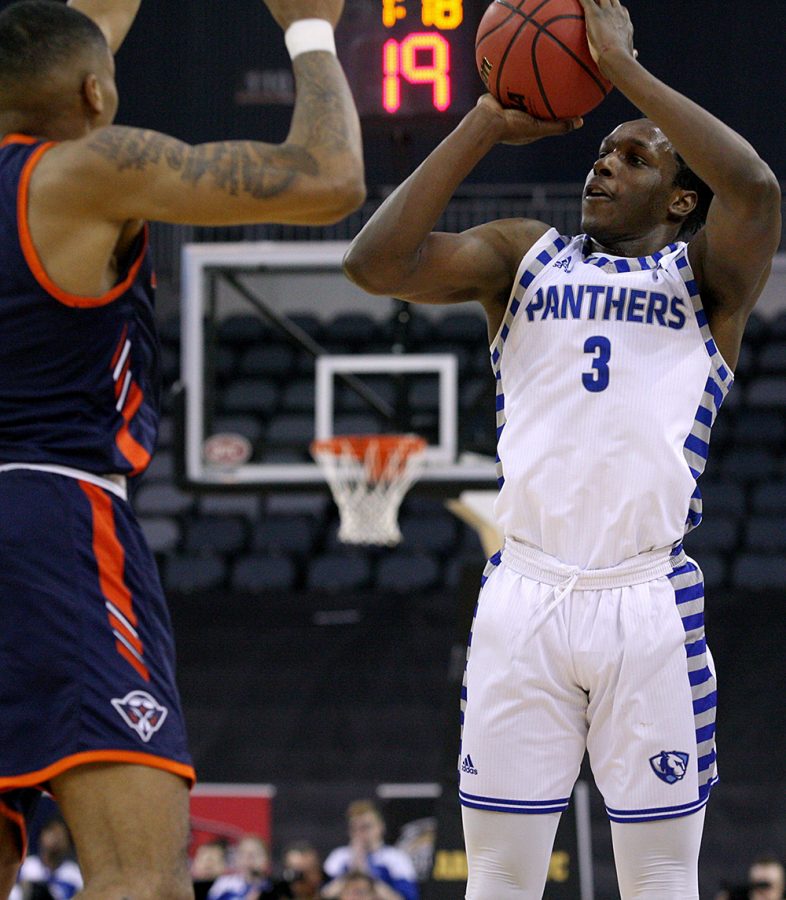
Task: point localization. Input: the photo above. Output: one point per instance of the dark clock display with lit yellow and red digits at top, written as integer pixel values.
(406, 58)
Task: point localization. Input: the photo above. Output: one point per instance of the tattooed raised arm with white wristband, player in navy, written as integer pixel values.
(315, 176)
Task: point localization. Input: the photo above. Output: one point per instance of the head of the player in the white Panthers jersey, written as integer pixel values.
(640, 185)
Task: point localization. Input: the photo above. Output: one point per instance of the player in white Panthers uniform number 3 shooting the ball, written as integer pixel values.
(613, 351)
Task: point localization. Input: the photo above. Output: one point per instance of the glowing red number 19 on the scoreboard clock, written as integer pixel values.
(400, 60)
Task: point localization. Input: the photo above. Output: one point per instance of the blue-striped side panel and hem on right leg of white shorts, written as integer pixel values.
(688, 584)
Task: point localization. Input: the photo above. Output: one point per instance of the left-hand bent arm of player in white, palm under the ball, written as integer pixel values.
(398, 254)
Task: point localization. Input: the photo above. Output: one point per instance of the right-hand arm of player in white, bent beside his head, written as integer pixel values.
(731, 256)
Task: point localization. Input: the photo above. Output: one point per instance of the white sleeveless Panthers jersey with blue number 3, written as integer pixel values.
(608, 382)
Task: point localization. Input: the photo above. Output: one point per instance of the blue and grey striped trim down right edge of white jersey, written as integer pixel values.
(719, 381)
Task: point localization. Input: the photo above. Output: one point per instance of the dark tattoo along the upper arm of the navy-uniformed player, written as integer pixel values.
(235, 167)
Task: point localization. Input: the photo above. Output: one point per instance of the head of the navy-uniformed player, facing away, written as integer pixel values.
(57, 73)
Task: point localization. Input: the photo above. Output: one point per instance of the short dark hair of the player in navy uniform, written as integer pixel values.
(37, 35)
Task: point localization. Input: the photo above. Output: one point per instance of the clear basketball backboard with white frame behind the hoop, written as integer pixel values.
(271, 282)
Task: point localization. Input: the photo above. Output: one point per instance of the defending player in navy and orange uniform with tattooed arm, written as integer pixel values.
(88, 704)
